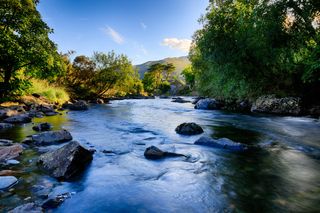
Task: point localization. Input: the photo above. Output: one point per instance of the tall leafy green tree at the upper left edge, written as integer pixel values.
(25, 45)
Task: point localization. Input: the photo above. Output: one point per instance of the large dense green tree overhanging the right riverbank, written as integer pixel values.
(248, 48)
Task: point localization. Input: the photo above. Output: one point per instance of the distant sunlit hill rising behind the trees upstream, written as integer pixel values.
(179, 62)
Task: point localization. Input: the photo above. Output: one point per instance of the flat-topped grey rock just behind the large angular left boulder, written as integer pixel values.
(49, 138)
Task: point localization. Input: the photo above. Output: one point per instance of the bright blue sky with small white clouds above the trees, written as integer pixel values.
(142, 29)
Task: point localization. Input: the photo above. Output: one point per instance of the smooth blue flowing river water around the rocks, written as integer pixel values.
(284, 176)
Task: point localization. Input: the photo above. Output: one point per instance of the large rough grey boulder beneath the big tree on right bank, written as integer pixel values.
(273, 105)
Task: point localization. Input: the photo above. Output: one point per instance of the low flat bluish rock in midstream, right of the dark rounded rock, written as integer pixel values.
(222, 143)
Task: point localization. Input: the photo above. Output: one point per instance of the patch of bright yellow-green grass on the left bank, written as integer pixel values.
(52, 92)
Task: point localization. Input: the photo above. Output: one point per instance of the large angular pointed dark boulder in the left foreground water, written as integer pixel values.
(66, 161)
